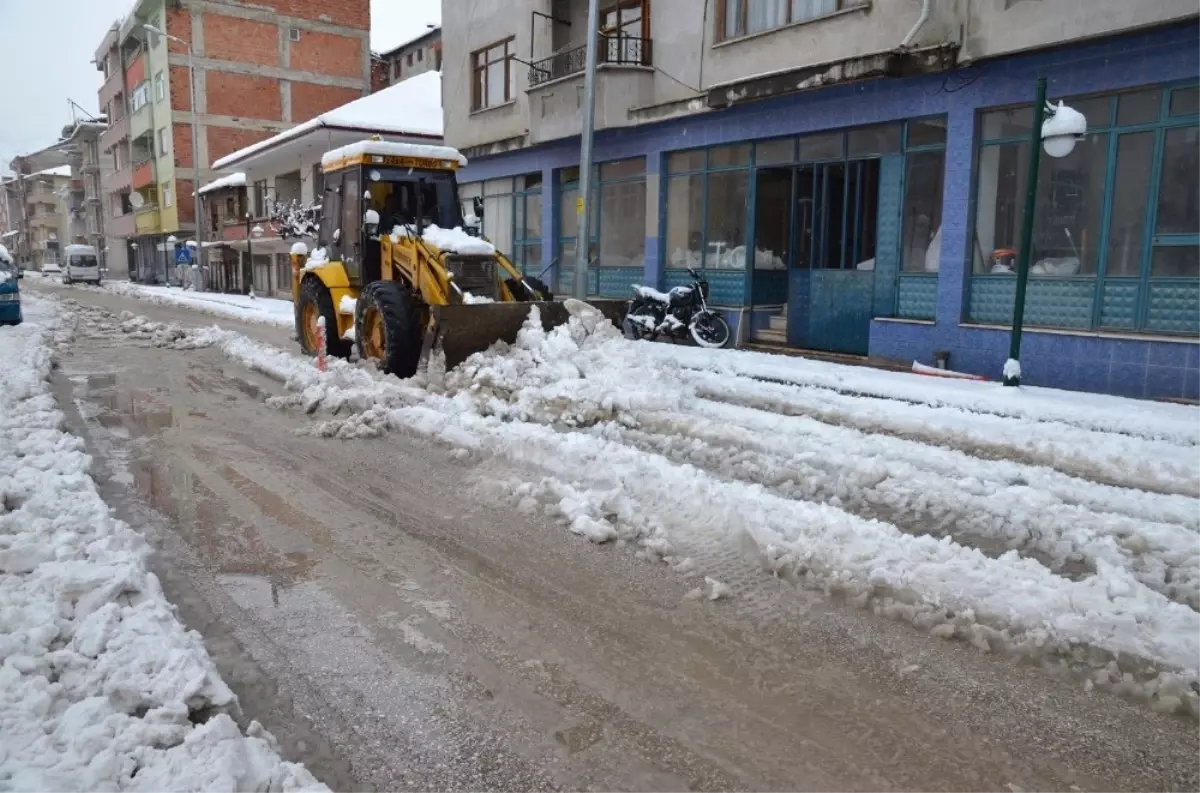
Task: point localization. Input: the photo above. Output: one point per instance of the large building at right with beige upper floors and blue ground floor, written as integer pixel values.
(850, 175)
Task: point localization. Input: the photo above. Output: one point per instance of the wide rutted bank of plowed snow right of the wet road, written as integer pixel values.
(1029, 560)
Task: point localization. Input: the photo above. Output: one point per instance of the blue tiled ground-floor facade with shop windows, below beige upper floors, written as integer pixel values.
(884, 215)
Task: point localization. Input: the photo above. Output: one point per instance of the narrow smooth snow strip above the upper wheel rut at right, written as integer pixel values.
(1114, 460)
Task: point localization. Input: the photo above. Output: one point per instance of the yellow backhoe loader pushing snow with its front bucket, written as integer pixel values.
(395, 274)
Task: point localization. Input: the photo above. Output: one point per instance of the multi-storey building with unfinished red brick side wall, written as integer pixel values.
(260, 68)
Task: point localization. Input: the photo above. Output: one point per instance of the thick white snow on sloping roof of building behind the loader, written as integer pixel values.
(410, 107)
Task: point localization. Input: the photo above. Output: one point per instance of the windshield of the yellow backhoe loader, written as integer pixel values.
(404, 197)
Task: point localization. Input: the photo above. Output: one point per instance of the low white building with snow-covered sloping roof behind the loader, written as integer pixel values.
(285, 171)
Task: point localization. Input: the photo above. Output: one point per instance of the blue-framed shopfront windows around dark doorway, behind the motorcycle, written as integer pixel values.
(723, 203)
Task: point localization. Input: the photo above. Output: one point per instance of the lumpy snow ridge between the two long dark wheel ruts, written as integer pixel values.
(994, 518)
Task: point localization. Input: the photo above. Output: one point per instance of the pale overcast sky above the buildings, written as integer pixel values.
(47, 46)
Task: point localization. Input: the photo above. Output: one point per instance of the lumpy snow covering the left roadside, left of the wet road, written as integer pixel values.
(101, 688)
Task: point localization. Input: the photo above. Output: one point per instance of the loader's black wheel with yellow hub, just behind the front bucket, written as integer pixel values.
(388, 328)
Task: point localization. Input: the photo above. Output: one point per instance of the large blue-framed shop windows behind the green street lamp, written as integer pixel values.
(1118, 235)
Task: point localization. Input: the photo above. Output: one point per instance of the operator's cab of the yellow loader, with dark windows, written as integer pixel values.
(403, 191)
